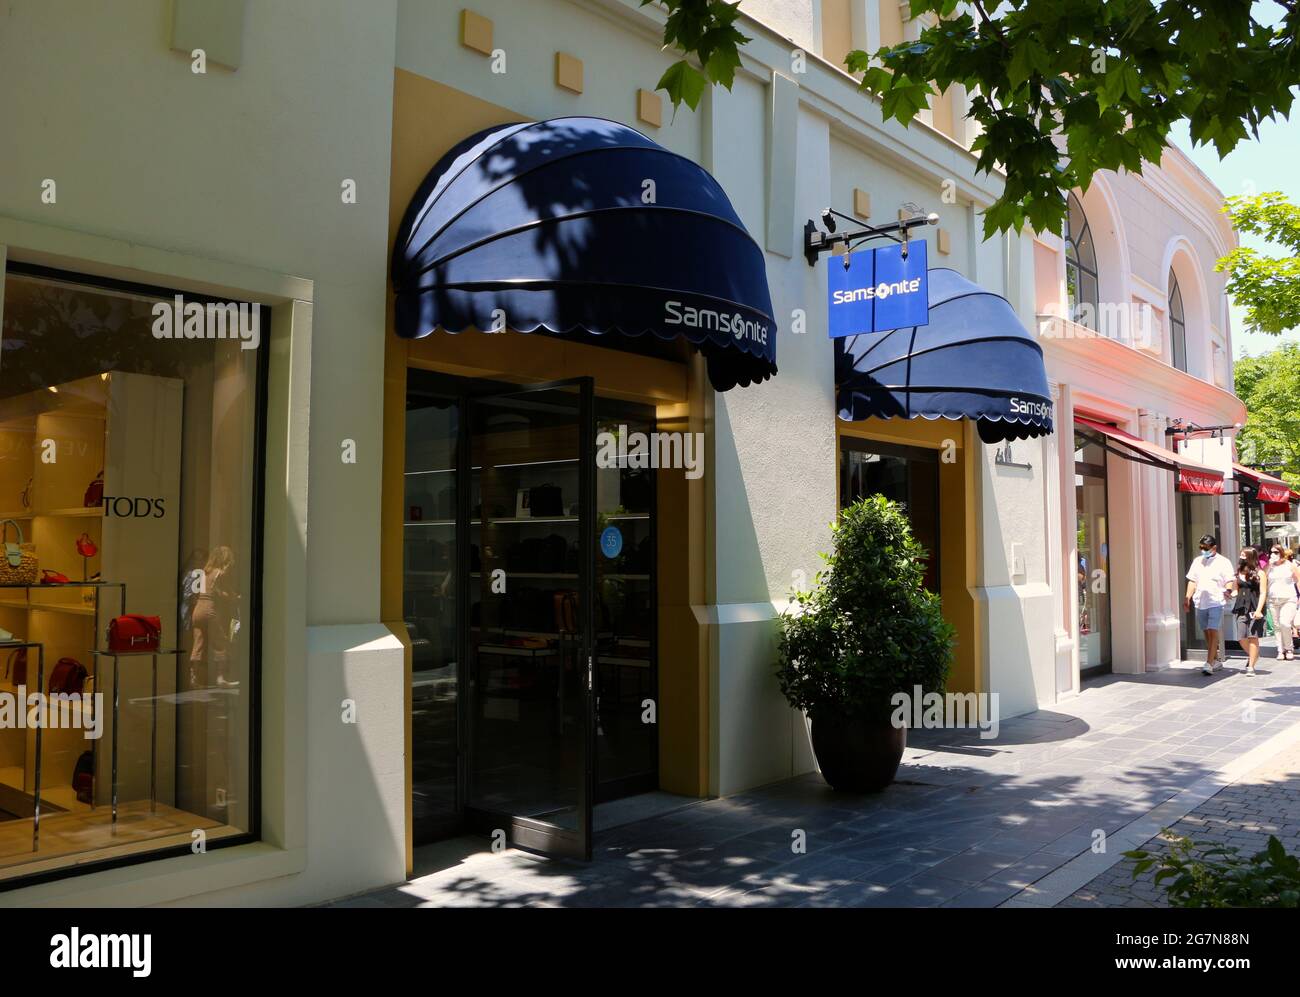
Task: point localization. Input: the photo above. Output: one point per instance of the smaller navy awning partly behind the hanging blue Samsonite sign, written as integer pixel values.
(973, 361)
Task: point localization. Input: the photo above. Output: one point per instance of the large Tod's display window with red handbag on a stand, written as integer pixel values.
(129, 474)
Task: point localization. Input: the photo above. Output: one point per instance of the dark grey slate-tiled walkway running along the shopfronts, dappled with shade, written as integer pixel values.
(970, 822)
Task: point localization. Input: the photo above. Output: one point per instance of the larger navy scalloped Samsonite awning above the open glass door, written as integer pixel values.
(584, 227)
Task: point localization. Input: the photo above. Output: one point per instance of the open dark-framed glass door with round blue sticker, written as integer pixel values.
(527, 561)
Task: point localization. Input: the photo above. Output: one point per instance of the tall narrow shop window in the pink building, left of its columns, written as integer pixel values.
(1094, 548)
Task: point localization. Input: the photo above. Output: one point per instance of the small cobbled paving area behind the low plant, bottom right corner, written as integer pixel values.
(1243, 816)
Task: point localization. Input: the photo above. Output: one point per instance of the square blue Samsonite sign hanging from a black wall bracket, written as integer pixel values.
(879, 292)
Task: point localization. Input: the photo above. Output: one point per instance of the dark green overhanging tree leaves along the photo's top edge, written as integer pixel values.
(1060, 89)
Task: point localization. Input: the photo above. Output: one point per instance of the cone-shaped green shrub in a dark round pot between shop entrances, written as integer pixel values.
(865, 632)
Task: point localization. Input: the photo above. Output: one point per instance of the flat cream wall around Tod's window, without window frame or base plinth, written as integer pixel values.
(242, 166)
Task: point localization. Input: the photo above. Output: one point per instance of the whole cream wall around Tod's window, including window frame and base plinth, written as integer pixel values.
(229, 177)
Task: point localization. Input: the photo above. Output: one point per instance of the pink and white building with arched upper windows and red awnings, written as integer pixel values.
(1136, 330)
